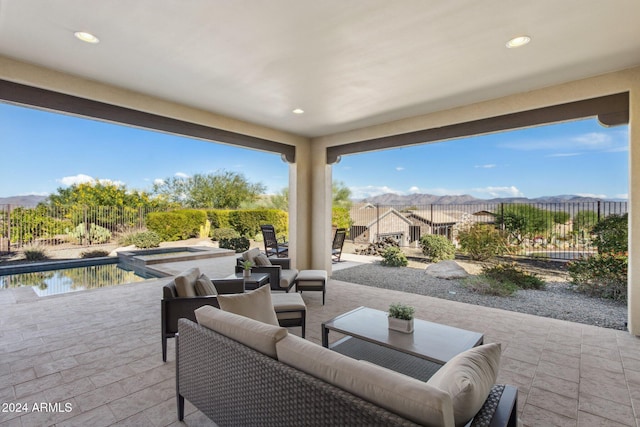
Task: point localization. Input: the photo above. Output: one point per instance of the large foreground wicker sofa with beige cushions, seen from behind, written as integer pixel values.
(239, 371)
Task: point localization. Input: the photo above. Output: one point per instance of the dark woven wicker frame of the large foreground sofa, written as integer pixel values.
(235, 385)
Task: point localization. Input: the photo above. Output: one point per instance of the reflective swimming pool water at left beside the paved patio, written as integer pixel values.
(53, 282)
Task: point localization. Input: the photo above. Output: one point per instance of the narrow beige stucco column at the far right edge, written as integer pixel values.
(634, 209)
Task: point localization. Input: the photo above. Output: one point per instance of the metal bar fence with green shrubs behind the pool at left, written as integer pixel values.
(59, 227)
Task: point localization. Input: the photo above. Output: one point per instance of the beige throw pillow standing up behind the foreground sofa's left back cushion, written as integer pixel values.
(256, 305)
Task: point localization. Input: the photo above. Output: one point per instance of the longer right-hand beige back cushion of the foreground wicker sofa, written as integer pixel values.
(398, 393)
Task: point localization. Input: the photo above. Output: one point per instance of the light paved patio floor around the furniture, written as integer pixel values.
(99, 352)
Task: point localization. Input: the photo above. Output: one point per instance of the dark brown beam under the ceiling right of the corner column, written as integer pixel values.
(611, 110)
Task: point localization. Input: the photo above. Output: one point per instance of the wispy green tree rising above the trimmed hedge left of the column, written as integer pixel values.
(222, 190)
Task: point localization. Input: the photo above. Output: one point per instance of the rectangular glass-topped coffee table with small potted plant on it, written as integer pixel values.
(419, 354)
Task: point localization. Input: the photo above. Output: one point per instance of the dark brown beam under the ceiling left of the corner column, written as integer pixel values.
(56, 101)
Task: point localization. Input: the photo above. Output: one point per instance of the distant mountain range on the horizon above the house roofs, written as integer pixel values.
(465, 199)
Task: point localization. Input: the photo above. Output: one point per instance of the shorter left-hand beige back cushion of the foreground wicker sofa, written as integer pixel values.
(252, 333)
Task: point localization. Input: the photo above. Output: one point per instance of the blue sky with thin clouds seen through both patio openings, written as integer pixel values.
(42, 151)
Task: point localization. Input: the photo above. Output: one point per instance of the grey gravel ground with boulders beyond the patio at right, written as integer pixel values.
(557, 301)
